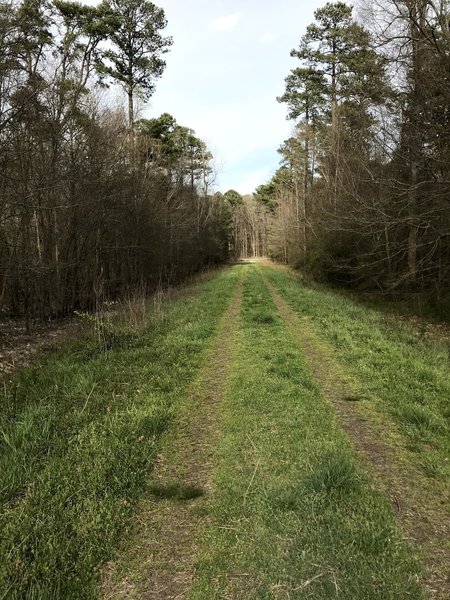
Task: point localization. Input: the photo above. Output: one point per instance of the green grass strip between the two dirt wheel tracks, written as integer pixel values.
(292, 514)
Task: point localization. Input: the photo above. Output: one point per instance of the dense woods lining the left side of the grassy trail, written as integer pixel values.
(94, 204)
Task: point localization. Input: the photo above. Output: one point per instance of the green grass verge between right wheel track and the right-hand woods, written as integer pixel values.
(400, 372)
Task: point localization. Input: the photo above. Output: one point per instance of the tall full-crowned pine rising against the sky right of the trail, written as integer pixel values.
(341, 76)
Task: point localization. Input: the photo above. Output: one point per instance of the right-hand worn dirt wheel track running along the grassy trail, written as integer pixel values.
(422, 516)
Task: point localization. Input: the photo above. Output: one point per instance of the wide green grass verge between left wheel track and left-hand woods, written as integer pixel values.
(80, 431)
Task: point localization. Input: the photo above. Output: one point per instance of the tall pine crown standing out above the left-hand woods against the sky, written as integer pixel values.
(135, 60)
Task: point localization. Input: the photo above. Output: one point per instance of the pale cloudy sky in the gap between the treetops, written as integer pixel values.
(224, 71)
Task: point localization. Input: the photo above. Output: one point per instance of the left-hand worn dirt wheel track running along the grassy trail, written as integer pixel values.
(160, 565)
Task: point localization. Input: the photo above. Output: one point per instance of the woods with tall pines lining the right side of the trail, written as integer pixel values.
(362, 197)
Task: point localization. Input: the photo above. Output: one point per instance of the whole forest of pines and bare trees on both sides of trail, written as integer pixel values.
(96, 203)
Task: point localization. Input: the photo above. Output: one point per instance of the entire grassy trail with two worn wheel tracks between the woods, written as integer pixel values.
(244, 445)
